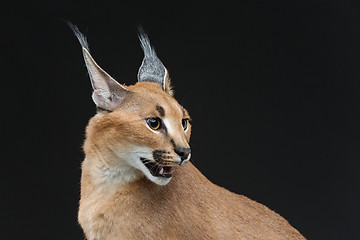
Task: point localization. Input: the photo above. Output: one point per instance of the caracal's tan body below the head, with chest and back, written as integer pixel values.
(189, 207)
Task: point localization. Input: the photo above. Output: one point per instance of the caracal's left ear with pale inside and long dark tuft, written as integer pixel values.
(108, 93)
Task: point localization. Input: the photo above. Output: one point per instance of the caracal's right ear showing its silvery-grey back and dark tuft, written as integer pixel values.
(152, 69)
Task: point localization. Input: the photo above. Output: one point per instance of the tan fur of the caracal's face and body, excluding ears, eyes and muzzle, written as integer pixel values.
(188, 207)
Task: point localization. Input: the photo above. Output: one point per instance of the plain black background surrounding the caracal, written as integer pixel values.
(272, 87)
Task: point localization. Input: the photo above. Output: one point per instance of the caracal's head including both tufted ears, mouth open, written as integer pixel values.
(139, 129)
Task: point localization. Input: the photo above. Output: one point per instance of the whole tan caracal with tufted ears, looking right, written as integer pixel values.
(135, 181)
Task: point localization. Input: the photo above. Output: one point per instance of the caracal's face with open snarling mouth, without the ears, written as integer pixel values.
(149, 131)
